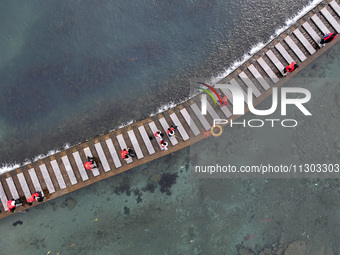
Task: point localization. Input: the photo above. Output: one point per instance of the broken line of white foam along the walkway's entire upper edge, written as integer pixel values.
(8, 167)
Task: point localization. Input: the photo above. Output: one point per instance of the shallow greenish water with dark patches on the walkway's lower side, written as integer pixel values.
(129, 214)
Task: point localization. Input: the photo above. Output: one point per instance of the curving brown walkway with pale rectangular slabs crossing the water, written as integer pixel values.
(64, 172)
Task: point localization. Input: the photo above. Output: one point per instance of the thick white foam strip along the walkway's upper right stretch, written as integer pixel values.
(254, 49)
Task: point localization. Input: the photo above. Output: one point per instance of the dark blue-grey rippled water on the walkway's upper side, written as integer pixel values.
(72, 70)
